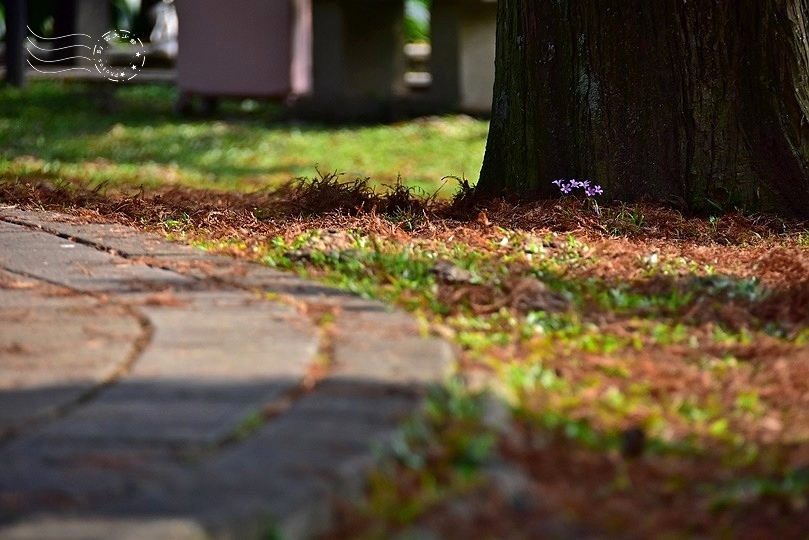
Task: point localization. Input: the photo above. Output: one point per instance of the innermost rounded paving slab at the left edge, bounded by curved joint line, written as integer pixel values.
(36, 321)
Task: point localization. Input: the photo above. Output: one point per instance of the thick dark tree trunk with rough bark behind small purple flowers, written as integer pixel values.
(705, 102)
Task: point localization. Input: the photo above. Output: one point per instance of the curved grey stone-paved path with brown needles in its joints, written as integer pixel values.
(151, 390)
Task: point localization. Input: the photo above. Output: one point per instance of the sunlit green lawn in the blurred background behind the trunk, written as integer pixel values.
(128, 135)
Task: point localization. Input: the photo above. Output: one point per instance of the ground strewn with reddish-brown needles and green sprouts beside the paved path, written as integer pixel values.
(653, 365)
